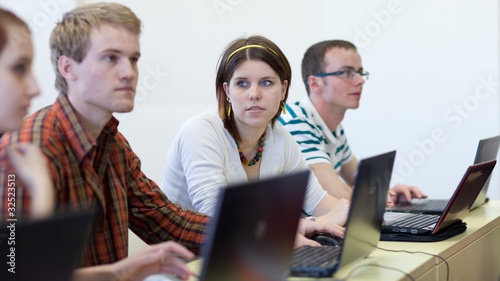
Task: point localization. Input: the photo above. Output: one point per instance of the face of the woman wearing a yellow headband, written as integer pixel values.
(255, 92)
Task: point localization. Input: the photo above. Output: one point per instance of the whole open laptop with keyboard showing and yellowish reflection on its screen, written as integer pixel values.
(363, 227)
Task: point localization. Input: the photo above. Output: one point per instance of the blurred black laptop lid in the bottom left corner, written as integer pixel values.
(48, 249)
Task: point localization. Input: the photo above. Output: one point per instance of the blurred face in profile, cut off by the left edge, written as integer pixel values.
(17, 83)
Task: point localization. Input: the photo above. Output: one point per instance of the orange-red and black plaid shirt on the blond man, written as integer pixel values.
(105, 173)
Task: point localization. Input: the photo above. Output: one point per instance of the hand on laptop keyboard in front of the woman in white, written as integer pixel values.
(307, 228)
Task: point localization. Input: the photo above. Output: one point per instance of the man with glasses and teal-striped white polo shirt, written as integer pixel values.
(334, 76)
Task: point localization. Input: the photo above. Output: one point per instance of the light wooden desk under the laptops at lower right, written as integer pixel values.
(472, 255)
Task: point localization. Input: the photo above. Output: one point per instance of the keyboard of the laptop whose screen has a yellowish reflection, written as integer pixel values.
(314, 261)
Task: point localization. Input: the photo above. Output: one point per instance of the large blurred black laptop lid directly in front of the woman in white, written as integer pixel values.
(252, 232)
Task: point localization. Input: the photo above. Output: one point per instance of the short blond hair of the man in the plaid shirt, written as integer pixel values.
(71, 36)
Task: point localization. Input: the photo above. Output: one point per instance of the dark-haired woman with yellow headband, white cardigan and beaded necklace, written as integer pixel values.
(242, 141)
